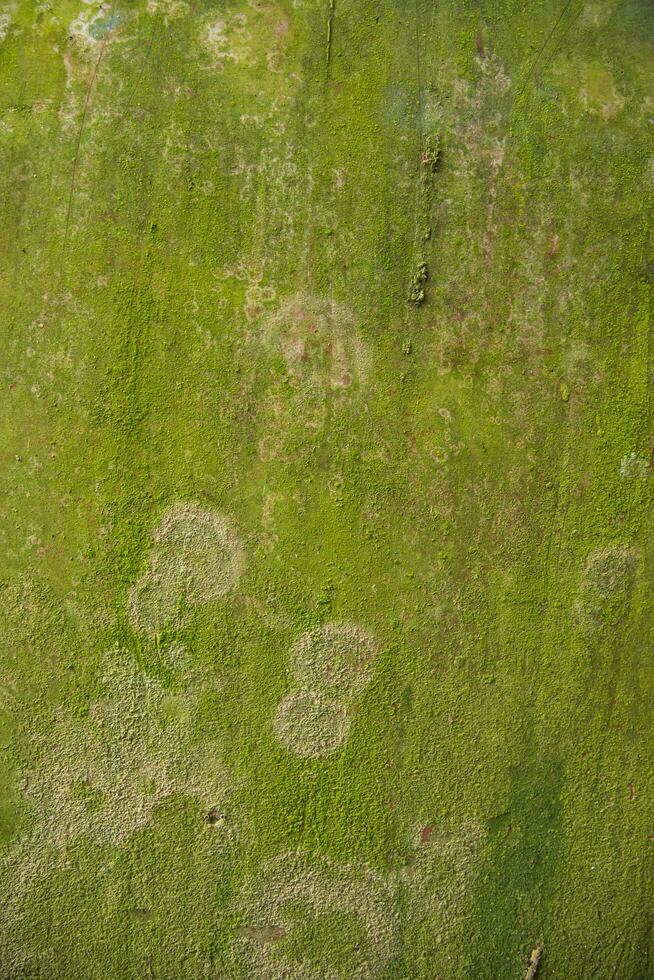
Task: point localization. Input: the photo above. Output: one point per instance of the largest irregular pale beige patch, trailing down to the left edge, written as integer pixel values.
(103, 774)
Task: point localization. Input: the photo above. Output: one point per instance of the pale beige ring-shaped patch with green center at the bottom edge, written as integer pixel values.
(307, 917)
